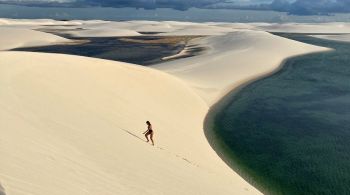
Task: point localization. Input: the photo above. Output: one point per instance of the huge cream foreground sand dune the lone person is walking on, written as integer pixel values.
(73, 125)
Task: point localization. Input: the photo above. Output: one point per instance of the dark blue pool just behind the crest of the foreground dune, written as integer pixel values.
(113, 48)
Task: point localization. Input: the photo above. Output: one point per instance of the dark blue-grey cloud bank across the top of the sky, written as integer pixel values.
(291, 7)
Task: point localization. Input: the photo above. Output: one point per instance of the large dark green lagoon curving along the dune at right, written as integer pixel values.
(290, 133)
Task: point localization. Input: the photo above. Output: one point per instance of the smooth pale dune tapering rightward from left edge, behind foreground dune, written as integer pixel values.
(18, 37)
